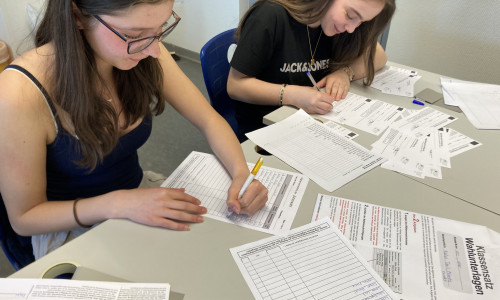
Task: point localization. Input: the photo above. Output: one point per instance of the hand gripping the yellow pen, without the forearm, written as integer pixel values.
(254, 198)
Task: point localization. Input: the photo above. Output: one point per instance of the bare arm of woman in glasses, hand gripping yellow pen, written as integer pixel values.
(183, 95)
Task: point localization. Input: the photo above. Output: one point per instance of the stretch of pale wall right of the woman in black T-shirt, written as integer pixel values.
(457, 38)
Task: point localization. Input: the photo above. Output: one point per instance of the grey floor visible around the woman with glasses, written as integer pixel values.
(173, 138)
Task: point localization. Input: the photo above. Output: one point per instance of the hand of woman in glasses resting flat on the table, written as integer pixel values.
(161, 207)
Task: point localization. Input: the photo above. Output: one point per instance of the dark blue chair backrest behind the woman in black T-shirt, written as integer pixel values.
(215, 67)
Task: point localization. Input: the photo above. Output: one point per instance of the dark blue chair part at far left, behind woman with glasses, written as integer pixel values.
(17, 248)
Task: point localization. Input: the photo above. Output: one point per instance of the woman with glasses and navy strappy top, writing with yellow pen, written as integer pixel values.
(74, 111)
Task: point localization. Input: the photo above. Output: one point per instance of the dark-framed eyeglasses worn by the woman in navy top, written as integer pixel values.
(138, 45)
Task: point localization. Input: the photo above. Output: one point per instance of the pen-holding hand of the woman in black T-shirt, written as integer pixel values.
(309, 99)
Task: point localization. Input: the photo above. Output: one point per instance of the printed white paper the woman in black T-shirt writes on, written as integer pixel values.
(370, 115)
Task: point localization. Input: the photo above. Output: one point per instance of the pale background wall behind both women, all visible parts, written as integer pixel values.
(457, 38)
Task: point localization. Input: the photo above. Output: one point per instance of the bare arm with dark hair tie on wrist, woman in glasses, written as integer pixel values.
(26, 128)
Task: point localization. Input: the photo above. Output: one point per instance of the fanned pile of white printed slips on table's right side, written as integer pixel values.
(419, 144)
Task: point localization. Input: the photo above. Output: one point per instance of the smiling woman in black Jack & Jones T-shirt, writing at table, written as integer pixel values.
(279, 41)
